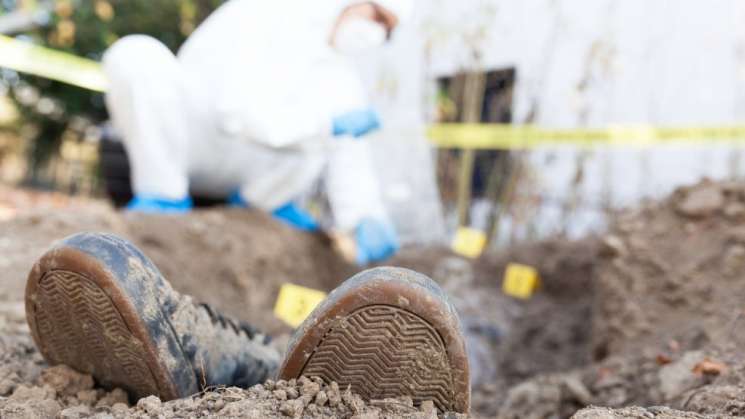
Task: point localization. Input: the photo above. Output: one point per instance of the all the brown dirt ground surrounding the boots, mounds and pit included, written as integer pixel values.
(648, 315)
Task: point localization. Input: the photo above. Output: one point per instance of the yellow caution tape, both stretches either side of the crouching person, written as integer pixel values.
(56, 65)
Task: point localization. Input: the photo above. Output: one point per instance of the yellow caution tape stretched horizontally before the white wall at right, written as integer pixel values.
(515, 137)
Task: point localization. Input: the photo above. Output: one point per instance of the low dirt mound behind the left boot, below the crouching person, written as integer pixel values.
(232, 259)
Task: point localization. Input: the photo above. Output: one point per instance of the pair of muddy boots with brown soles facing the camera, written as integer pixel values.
(94, 302)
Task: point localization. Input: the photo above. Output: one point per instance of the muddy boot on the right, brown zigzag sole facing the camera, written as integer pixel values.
(386, 333)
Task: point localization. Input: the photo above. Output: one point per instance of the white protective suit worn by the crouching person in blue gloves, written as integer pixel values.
(247, 104)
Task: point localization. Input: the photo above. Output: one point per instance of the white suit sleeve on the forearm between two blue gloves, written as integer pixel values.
(352, 185)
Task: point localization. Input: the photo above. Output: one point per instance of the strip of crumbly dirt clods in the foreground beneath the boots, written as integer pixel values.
(64, 393)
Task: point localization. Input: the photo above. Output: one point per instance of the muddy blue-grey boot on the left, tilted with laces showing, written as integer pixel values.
(94, 302)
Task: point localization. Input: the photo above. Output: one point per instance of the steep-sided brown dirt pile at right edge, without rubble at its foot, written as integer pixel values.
(672, 271)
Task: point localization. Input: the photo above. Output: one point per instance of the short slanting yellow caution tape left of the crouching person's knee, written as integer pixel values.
(56, 65)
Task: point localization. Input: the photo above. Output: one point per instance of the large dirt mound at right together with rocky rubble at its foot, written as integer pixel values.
(667, 321)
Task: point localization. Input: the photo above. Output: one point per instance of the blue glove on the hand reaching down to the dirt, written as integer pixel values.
(376, 241)
